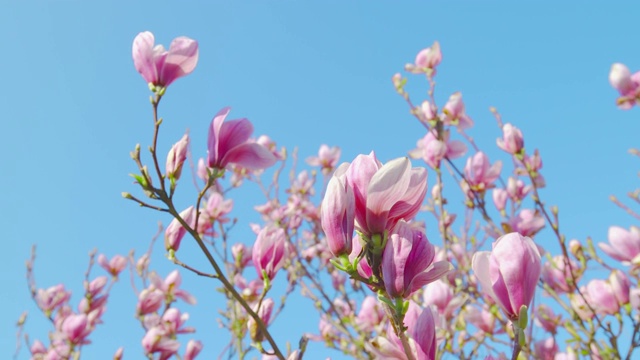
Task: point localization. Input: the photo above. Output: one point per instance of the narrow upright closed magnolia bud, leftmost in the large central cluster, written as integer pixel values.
(337, 215)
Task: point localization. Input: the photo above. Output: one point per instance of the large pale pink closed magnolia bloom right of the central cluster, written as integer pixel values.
(509, 272)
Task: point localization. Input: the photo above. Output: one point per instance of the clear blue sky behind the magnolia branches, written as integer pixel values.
(72, 107)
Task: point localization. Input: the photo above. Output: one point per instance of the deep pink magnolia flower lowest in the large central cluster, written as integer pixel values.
(407, 262)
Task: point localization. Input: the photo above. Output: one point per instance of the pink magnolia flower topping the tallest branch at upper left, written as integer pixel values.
(159, 66)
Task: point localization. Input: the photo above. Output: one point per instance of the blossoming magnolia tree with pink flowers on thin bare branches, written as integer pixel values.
(383, 285)
